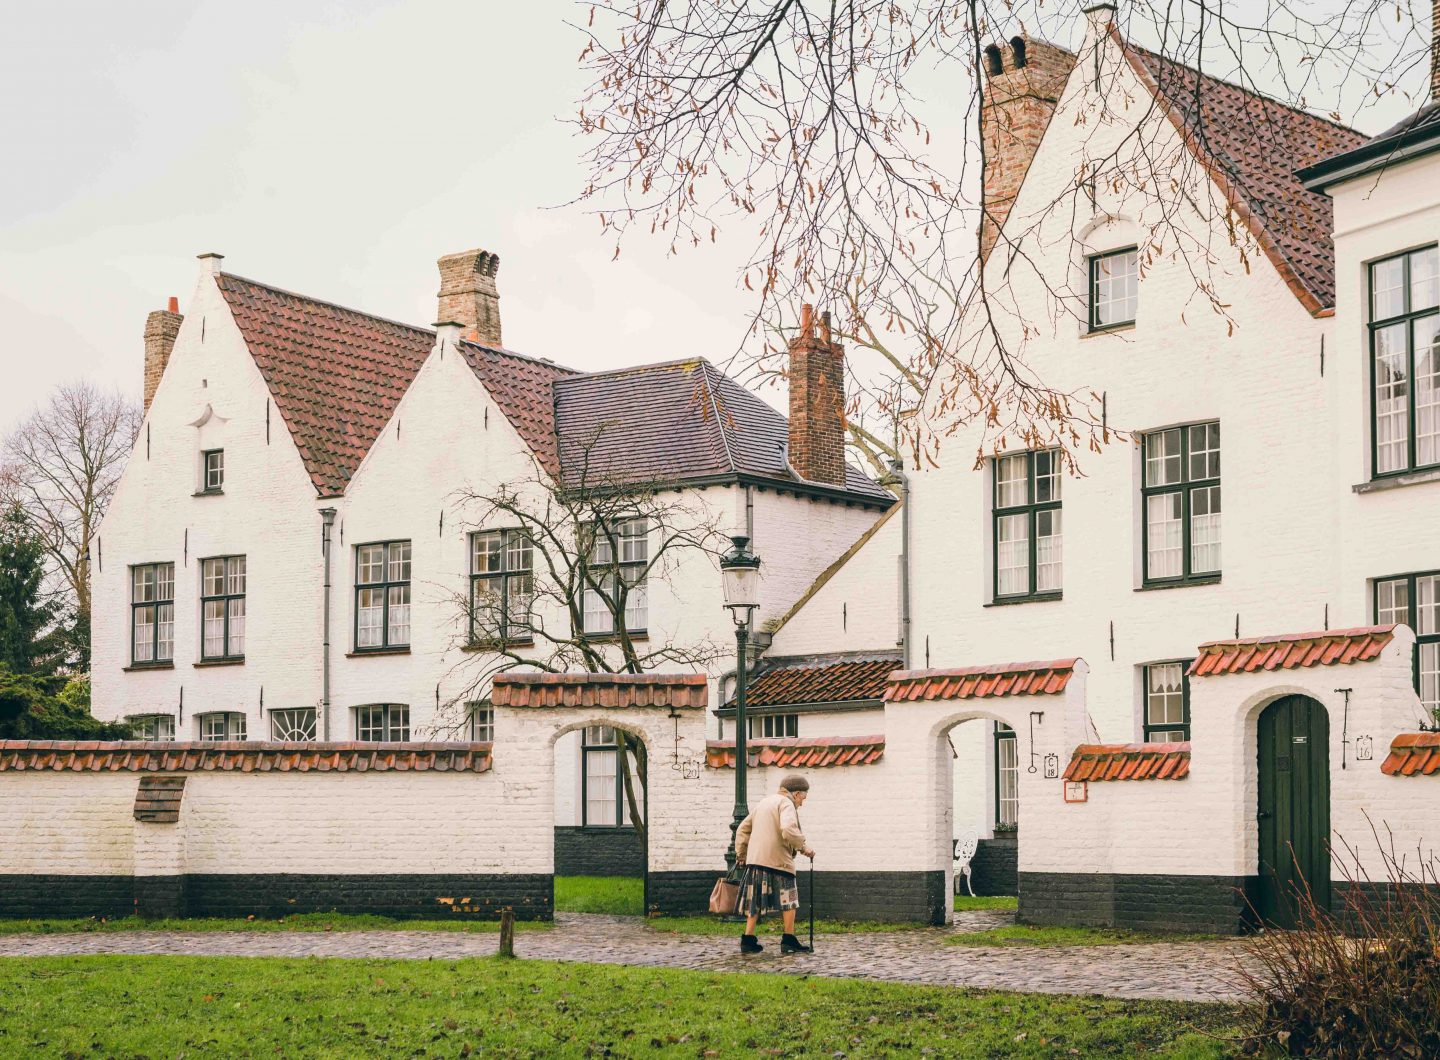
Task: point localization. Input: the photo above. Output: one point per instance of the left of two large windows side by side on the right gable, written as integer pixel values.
(1027, 525)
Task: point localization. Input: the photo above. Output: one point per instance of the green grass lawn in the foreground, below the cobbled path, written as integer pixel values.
(221, 1007)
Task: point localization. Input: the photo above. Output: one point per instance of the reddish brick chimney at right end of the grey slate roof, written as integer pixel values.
(817, 449)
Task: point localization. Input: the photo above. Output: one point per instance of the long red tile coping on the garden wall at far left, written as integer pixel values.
(241, 757)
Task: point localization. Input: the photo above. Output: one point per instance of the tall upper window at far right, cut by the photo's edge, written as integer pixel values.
(1405, 345)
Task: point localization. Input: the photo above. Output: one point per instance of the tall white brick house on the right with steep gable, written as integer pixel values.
(1279, 470)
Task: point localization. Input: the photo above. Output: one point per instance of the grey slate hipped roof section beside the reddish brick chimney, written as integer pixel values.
(675, 423)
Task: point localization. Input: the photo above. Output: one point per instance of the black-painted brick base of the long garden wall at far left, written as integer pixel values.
(479, 898)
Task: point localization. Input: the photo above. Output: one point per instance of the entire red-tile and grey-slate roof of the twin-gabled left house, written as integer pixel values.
(336, 377)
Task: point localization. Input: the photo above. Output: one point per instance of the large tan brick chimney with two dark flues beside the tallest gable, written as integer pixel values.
(1023, 84)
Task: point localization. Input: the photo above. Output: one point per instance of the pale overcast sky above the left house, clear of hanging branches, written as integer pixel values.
(329, 149)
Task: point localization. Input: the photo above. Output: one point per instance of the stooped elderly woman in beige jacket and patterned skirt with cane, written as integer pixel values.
(767, 845)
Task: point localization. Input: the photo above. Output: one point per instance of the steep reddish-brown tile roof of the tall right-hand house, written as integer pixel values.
(1254, 146)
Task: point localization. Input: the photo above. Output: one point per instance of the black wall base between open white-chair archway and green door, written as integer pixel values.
(1213, 905)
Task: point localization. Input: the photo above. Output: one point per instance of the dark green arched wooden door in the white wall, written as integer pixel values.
(1294, 809)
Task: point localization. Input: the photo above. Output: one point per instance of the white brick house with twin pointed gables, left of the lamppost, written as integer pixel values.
(292, 554)
